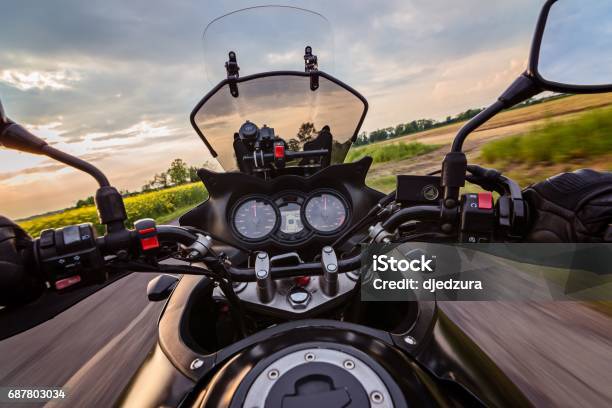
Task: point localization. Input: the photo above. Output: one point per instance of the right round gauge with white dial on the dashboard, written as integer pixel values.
(325, 212)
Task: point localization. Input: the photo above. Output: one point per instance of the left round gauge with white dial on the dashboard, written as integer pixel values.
(255, 218)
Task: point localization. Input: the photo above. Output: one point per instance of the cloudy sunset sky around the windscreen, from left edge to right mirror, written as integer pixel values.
(114, 82)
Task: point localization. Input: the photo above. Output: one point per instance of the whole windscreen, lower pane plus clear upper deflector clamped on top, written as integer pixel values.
(265, 39)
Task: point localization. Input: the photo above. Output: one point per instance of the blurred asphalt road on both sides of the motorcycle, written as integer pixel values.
(559, 354)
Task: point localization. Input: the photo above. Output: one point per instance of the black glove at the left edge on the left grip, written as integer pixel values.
(20, 283)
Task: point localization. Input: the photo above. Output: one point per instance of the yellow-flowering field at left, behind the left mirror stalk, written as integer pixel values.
(161, 205)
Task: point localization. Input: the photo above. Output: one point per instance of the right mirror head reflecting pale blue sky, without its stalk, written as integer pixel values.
(572, 47)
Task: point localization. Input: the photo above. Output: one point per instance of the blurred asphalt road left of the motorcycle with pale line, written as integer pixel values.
(91, 349)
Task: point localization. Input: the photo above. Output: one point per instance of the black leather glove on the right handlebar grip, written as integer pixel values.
(571, 207)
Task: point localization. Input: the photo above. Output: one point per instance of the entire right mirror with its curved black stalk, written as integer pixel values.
(570, 53)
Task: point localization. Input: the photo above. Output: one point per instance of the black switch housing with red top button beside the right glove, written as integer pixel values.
(477, 218)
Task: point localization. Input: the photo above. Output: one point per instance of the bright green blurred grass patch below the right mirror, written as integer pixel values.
(587, 136)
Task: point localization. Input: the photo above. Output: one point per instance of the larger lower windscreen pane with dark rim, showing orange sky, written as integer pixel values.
(286, 103)
